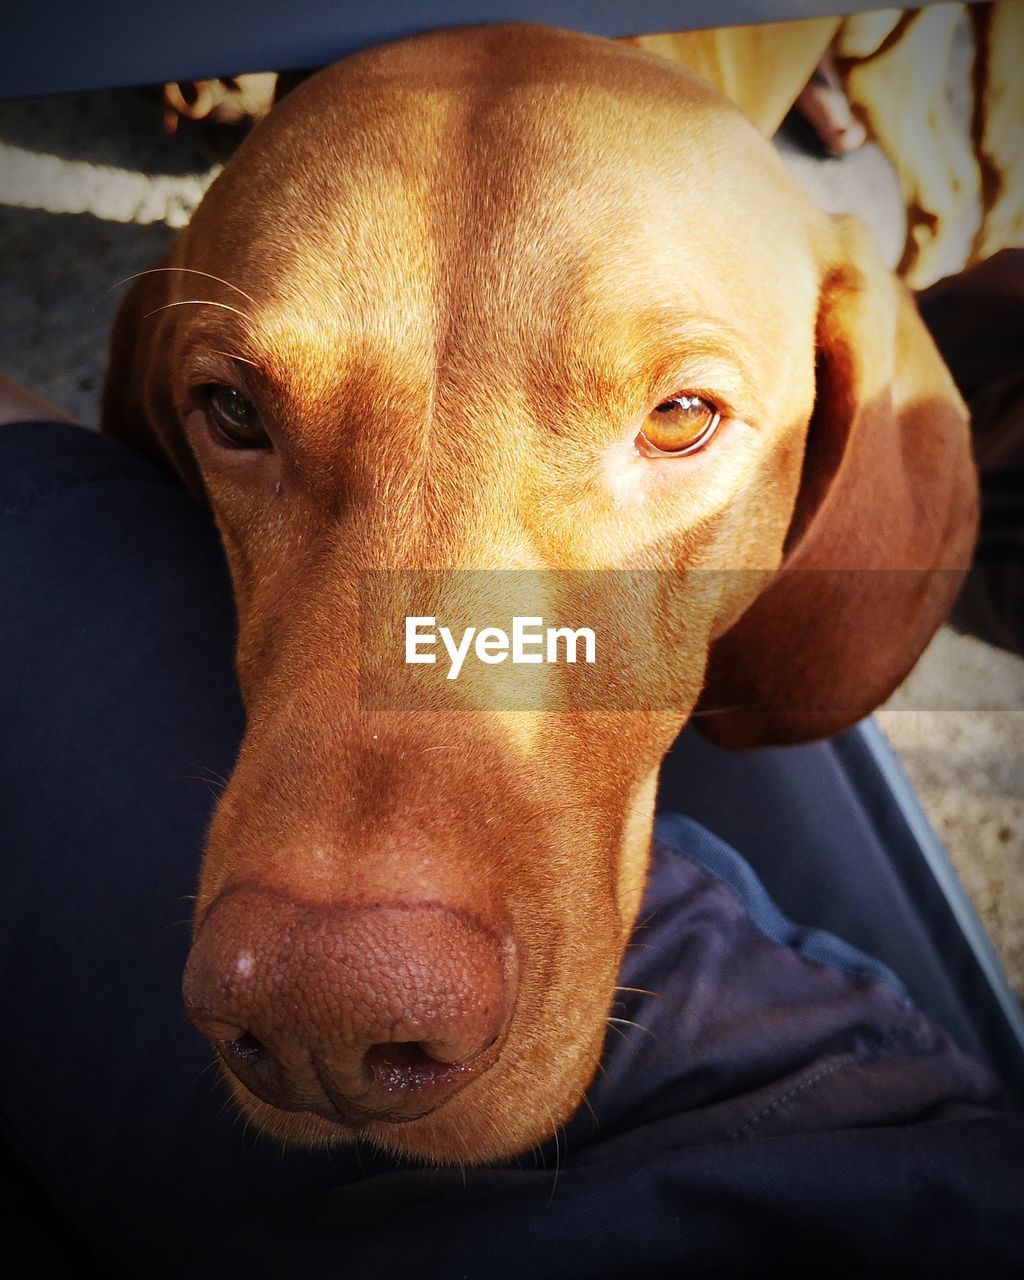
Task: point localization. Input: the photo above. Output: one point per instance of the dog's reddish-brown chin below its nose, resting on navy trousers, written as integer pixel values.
(483, 1124)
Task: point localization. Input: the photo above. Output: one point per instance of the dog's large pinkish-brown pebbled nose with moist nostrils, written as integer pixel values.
(377, 1012)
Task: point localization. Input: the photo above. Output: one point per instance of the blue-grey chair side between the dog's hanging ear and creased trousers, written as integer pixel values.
(833, 844)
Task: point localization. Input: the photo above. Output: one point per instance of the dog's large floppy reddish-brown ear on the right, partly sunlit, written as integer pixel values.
(883, 529)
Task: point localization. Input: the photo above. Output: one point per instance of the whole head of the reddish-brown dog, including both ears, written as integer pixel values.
(501, 300)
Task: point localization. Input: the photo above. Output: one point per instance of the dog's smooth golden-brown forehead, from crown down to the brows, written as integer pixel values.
(493, 190)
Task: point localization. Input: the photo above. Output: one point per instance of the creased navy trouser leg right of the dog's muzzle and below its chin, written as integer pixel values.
(769, 1116)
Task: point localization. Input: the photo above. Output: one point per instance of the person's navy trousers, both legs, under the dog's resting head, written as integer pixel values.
(769, 1112)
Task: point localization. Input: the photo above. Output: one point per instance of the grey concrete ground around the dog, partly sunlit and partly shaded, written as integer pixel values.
(92, 191)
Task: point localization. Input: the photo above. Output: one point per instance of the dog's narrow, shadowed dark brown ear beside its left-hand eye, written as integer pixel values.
(138, 404)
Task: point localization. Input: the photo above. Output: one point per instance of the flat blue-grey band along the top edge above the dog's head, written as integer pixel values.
(121, 43)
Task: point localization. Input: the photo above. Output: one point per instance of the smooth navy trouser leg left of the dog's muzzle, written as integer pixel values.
(121, 717)
